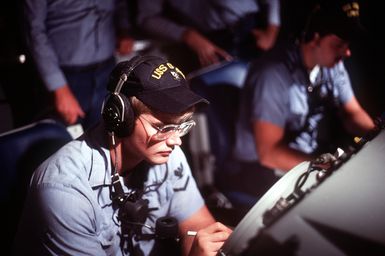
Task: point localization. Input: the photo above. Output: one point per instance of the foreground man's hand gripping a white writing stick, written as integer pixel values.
(209, 240)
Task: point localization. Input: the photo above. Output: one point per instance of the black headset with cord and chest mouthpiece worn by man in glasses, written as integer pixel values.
(119, 119)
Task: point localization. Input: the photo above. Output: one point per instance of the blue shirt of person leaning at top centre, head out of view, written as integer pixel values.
(204, 15)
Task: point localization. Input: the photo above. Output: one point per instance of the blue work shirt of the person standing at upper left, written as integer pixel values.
(71, 33)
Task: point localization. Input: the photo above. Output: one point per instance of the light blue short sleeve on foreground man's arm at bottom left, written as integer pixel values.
(68, 222)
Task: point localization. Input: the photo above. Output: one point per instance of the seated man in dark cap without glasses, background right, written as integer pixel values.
(290, 98)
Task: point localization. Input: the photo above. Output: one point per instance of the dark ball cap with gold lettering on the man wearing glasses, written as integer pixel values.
(157, 83)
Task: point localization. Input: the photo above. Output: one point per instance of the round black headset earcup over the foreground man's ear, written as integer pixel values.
(118, 115)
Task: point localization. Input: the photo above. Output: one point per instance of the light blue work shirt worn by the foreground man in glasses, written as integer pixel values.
(69, 210)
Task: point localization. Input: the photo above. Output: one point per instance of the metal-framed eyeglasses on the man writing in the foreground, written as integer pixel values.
(166, 131)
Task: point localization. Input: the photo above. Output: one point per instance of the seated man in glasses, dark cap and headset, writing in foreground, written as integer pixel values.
(103, 193)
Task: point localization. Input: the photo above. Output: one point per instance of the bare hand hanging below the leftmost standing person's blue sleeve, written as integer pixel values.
(67, 106)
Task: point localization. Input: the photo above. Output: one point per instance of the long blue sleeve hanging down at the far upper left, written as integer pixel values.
(39, 45)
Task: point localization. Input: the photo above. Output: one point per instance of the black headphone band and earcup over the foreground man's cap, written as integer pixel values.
(117, 112)
